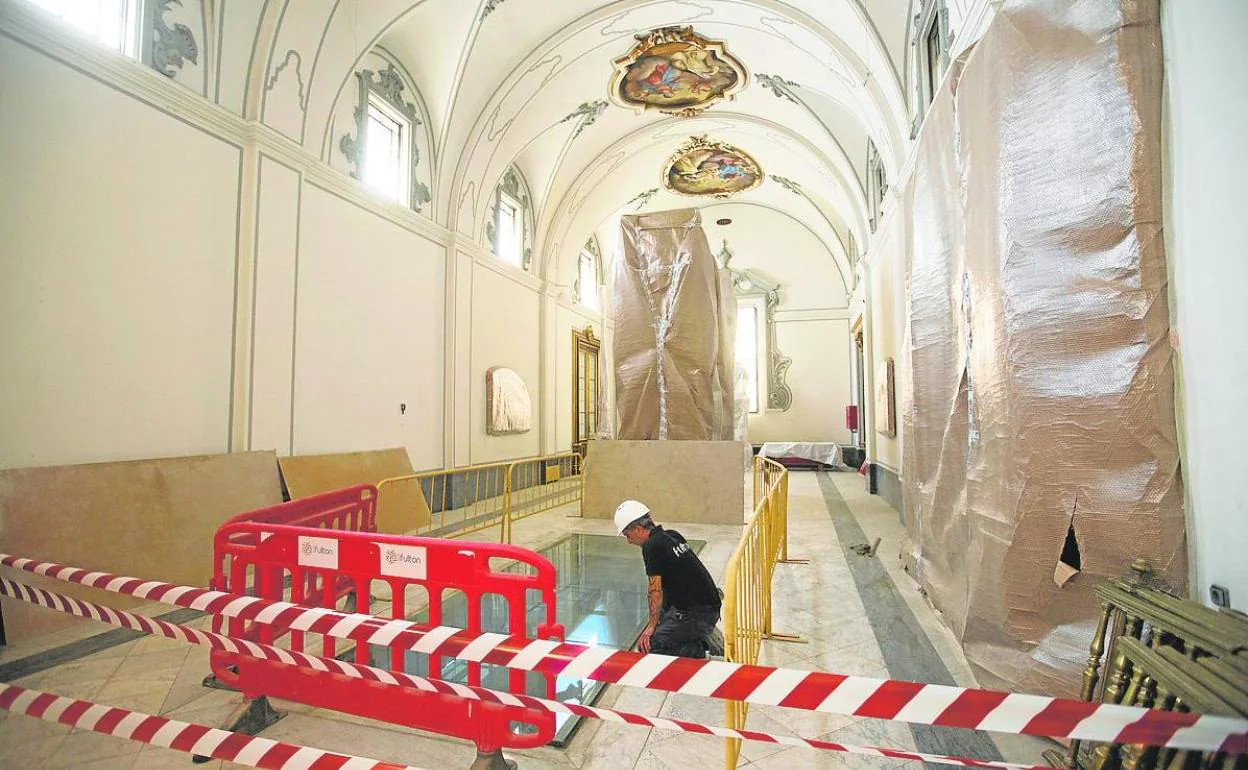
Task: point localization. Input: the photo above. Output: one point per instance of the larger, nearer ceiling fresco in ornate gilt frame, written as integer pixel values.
(677, 72)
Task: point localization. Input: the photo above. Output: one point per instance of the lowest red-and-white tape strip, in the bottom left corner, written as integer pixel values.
(180, 736)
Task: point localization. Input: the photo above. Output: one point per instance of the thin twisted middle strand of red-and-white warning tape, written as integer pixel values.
(87, 610)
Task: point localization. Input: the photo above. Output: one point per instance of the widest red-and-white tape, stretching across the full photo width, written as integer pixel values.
(812, 691)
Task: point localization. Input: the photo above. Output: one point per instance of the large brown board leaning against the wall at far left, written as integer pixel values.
(147, 519)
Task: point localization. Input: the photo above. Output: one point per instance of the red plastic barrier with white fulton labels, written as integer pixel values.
(261, 555)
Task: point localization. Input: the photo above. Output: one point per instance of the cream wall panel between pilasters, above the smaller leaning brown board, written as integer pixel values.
(369, 334)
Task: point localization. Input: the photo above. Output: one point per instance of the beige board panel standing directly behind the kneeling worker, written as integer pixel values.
(681, 481)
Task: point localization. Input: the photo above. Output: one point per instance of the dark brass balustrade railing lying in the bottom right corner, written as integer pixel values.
(1156, 651)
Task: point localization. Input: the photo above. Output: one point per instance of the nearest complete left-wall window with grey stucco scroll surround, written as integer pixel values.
(386, 152)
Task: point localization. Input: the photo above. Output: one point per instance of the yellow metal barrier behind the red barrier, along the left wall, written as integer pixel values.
(465, 501)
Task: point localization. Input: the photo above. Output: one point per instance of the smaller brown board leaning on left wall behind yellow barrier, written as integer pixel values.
(401, 507)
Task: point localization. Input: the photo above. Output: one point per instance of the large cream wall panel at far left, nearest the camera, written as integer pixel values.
(117, 273)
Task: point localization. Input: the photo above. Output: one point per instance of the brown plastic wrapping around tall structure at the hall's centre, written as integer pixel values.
(672, 328)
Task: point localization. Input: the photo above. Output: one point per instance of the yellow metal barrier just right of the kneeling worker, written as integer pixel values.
(748, 583)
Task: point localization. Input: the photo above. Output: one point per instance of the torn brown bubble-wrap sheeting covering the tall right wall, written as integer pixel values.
(1040, 442)
